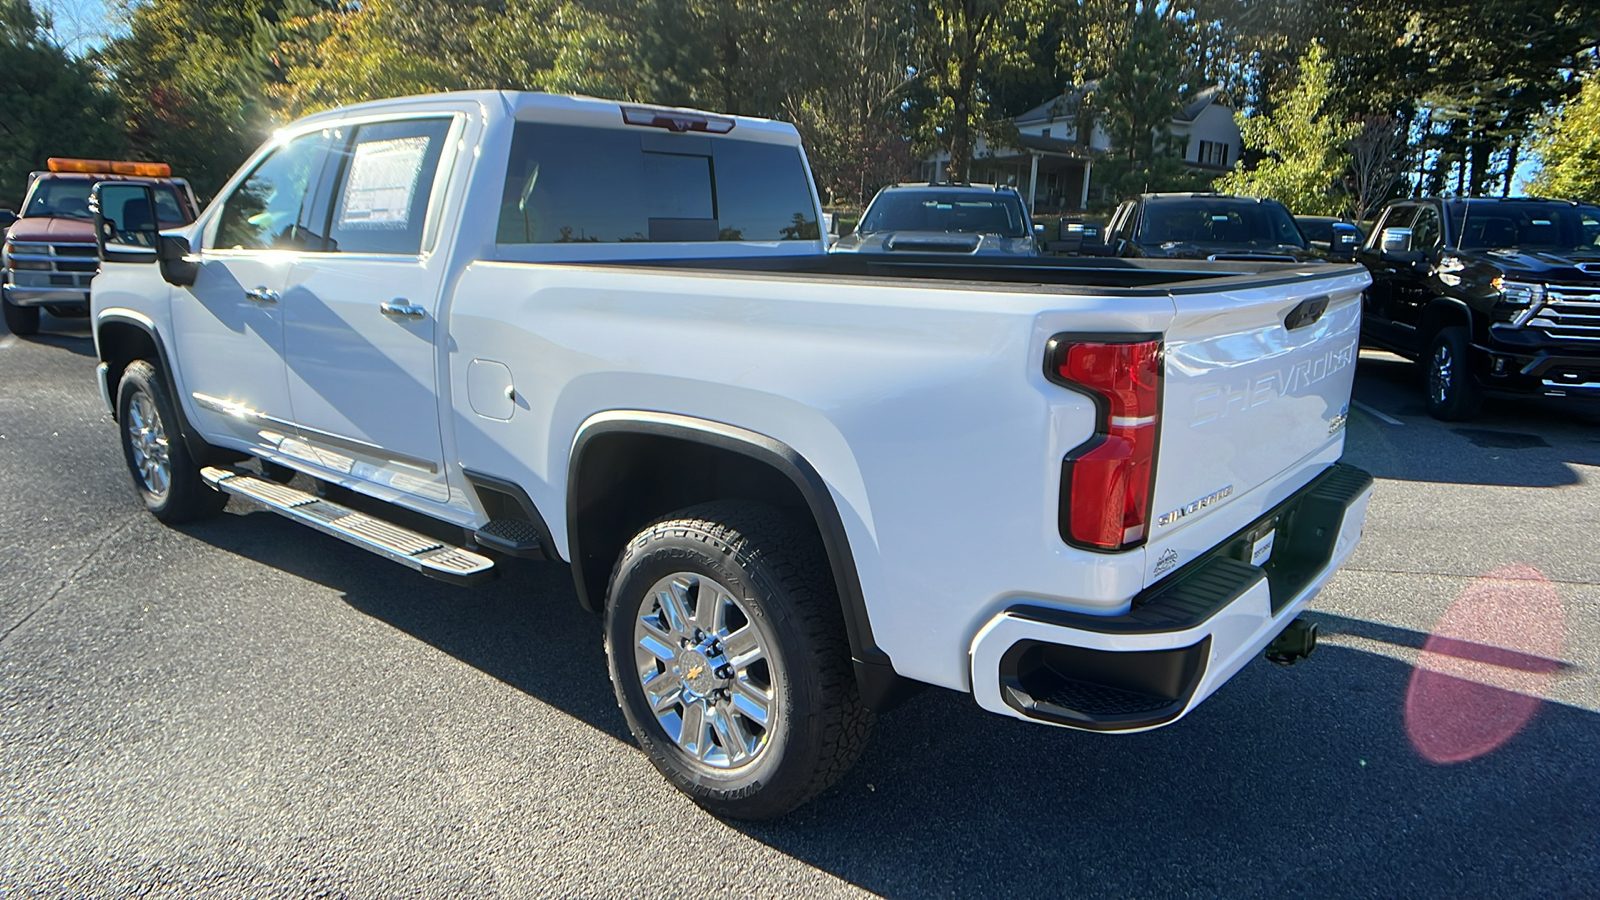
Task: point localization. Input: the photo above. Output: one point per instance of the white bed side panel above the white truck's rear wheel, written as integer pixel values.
(922, 406)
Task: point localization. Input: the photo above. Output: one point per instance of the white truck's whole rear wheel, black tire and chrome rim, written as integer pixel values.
(730, 662)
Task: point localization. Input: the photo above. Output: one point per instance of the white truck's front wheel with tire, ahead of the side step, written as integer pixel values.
(164, 473)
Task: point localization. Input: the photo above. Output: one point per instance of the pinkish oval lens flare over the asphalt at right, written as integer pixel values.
(1486, 667)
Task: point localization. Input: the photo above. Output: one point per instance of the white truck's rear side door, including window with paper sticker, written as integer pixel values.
(361, 319)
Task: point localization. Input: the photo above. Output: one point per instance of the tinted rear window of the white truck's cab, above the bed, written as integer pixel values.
(578, 185)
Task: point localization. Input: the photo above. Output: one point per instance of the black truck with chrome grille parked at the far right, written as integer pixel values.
(1498, 295)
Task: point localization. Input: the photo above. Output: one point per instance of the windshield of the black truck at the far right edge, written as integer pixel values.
(1526, 225)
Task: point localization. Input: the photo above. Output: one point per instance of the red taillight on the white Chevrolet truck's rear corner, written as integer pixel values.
(1106, 481)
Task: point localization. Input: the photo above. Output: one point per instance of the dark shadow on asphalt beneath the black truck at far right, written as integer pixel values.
(1513, 443)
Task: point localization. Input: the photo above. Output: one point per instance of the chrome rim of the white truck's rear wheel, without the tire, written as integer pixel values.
(706, 670)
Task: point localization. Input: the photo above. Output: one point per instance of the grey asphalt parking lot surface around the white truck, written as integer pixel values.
(246, 709)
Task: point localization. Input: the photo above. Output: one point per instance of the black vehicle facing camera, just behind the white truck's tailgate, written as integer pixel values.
(1206, 227)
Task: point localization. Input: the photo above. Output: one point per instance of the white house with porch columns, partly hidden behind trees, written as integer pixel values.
(1055, 159)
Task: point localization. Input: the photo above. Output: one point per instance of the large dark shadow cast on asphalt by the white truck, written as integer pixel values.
(1297, 782)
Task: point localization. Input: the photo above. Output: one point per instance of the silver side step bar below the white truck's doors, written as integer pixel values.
(401, 545)
